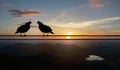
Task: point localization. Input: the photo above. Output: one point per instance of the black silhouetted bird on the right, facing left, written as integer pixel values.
(44, 28)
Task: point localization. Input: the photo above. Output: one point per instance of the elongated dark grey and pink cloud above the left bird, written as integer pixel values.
(19, 13)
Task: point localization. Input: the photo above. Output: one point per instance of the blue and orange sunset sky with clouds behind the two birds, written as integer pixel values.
(78, 17)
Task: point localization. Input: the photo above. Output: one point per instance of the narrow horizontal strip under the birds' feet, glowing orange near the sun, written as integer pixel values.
(60, 37)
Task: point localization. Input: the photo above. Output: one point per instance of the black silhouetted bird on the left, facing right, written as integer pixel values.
(23, 28)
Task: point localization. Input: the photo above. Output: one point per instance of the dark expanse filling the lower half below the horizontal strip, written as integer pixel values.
(60, 54)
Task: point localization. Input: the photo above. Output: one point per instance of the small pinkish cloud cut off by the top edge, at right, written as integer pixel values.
(96, 3)
